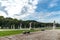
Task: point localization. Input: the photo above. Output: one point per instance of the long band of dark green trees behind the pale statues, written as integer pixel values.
(9, 22)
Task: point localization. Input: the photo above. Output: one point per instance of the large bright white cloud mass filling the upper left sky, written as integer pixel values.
(15, 7)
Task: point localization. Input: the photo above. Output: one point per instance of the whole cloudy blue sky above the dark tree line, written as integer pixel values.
(39, 10)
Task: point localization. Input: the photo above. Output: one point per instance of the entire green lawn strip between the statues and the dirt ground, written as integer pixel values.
(8, 32)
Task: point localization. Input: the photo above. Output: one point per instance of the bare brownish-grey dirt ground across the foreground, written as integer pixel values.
(41, 35)
